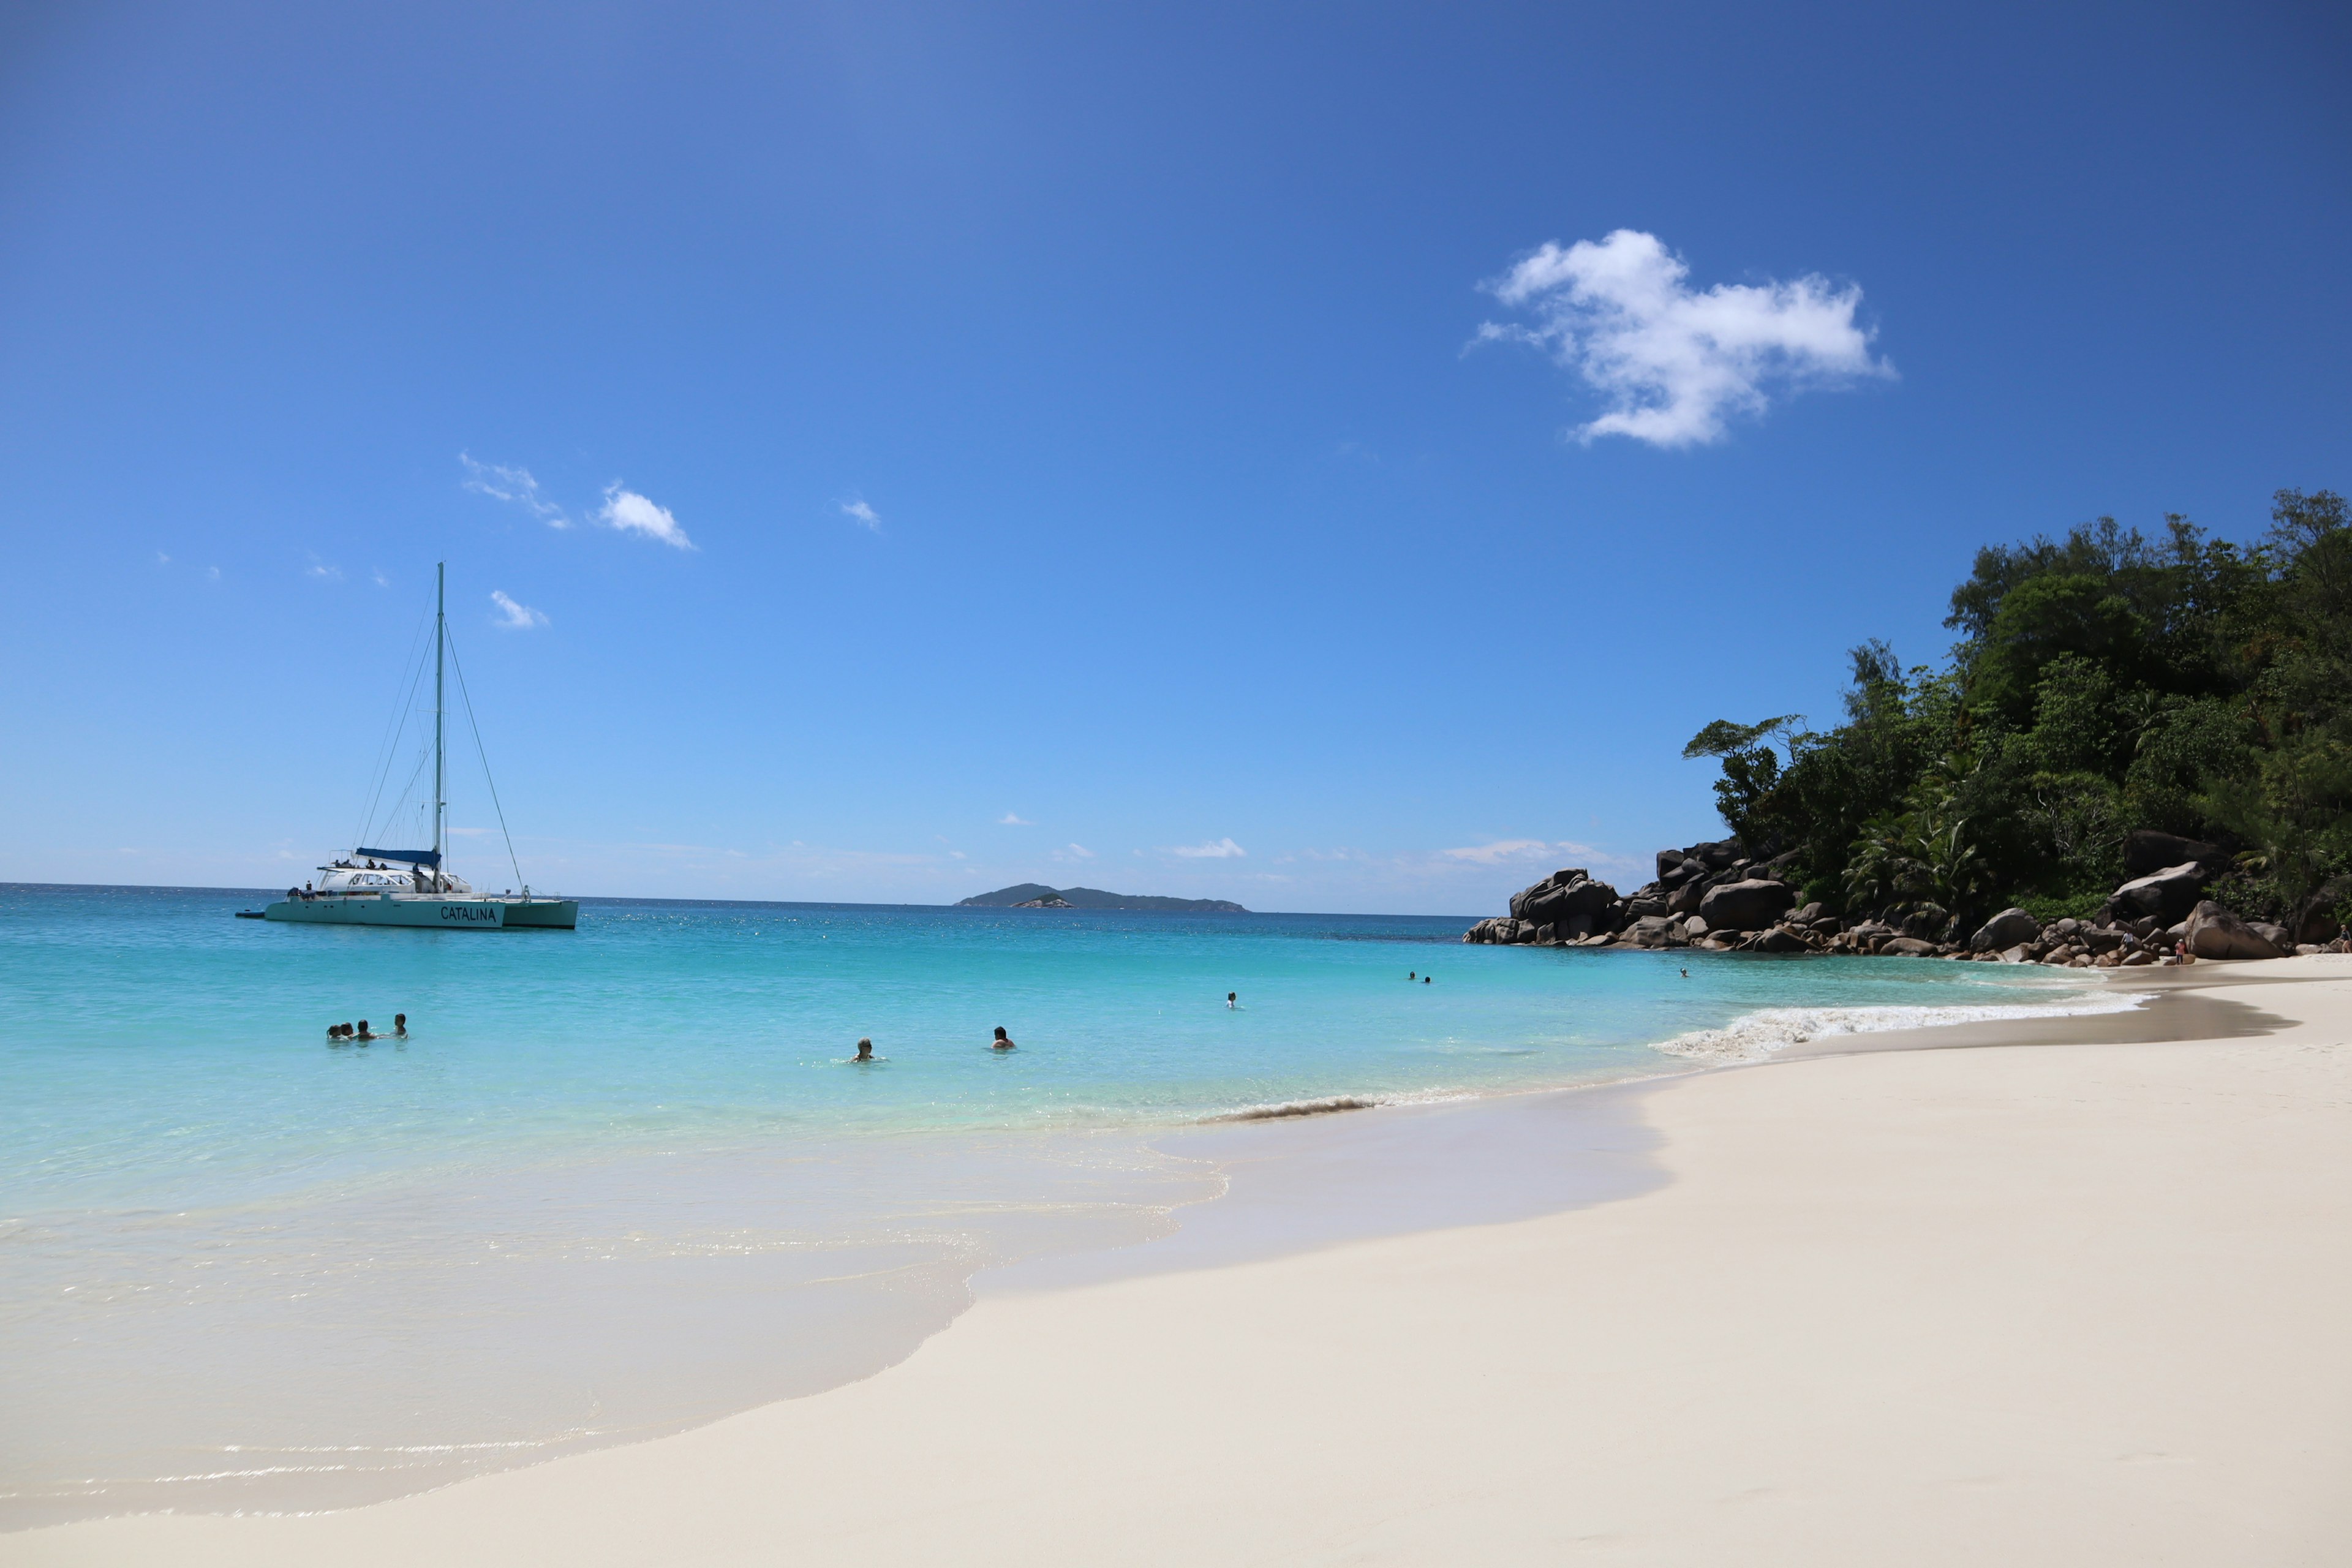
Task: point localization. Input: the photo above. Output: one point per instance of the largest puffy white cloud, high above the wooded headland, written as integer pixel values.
(1671, 361)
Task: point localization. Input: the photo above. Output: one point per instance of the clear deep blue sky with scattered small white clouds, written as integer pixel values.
(1121, 445)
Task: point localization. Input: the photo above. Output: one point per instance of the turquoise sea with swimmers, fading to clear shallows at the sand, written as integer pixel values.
(627, 1179)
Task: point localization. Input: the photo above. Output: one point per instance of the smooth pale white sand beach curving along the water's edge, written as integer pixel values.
(2024, 1304)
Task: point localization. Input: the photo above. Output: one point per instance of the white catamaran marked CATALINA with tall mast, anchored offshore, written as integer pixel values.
(410, 887)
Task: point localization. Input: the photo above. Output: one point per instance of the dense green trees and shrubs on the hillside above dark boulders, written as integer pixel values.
(2104, 683)
